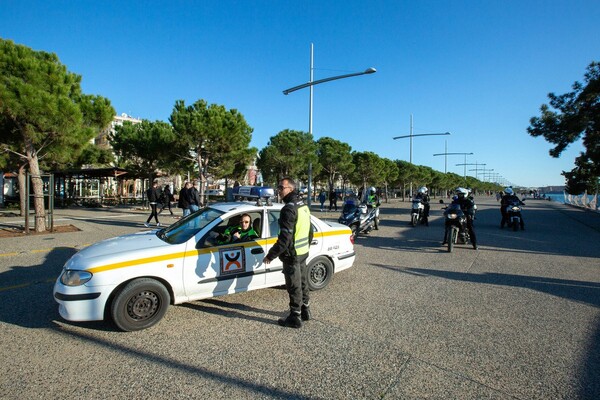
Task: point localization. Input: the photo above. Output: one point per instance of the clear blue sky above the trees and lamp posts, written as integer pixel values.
(478, 69)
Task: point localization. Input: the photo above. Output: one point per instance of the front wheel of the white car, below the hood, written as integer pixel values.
(140, 304)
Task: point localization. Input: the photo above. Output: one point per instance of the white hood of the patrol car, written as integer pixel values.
(118, 249)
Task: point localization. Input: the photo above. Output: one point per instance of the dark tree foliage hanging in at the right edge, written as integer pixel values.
(577, 115)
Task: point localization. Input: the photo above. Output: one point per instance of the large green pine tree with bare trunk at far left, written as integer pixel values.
(43, 114)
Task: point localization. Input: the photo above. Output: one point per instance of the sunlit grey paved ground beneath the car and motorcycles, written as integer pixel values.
(517, 319)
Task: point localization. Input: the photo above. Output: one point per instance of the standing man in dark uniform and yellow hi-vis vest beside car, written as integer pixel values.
(292, 246)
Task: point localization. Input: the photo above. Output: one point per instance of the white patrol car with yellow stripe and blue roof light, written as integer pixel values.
(133, 278)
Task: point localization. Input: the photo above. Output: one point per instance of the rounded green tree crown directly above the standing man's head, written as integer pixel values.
(288, 154)
